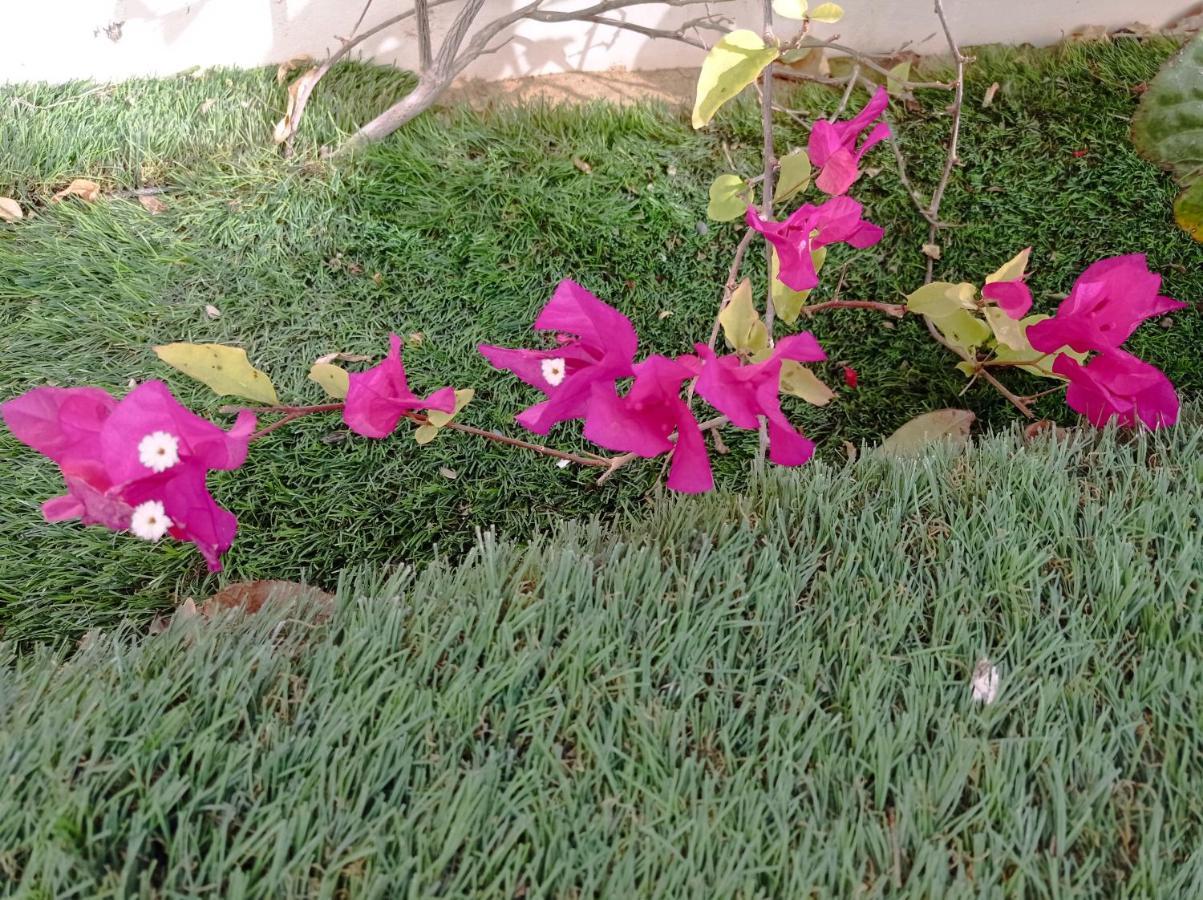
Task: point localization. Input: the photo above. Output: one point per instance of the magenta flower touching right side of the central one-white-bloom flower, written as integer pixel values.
(644, 421)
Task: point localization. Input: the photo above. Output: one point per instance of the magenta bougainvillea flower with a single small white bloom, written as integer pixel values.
(597, 347)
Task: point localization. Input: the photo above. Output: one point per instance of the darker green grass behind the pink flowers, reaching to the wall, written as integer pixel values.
(471, 220)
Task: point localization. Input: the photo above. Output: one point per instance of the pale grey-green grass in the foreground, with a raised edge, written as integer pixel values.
(757, 695)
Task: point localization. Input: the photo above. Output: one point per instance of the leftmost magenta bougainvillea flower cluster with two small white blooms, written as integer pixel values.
(139, 465)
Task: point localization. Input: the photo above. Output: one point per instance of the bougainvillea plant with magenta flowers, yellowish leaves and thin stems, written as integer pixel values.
(140, 464)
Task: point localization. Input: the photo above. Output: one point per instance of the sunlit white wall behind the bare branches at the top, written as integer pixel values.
(57, 40)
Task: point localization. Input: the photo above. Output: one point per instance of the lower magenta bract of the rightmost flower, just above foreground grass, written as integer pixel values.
(1117, 386)
